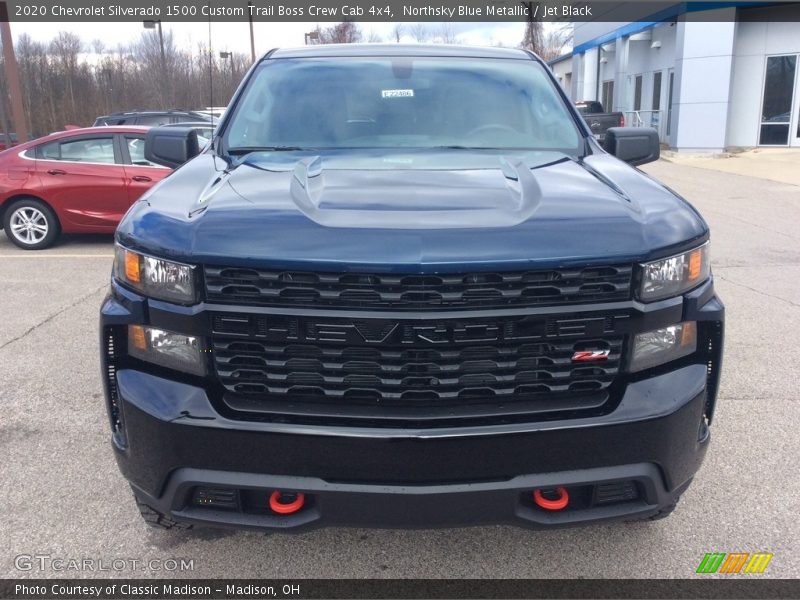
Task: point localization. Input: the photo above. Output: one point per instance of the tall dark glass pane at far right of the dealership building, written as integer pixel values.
(776, 108)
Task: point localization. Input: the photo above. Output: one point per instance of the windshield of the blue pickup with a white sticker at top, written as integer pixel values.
(400, 102)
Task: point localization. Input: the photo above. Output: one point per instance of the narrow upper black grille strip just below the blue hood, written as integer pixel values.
(269, 287)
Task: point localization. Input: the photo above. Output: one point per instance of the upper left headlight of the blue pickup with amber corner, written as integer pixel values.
(155, 277)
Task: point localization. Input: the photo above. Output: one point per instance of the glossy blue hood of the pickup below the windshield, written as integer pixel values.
(387, 212)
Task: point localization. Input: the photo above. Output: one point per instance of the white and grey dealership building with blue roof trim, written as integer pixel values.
(707, 81)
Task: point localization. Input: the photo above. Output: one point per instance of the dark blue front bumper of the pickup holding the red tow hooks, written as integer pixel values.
(174, 441)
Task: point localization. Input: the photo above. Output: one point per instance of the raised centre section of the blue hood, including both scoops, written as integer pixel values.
(416, 198)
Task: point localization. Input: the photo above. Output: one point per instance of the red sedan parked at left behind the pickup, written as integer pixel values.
(78, 181)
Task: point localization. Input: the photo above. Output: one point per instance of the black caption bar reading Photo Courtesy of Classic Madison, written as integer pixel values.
(208, 589)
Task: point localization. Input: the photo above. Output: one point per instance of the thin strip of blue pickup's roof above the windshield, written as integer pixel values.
(388, 49)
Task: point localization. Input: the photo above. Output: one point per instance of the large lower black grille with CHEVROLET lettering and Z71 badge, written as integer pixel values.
(415, 370)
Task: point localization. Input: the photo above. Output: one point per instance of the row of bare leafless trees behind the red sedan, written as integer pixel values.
(60, 86)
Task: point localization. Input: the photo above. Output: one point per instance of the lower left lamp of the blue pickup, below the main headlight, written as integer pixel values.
(168, 349)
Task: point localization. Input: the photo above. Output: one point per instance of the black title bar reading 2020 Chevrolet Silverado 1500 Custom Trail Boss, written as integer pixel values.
(319, 11)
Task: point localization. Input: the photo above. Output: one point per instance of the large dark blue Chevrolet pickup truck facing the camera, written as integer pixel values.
(405, 286)
